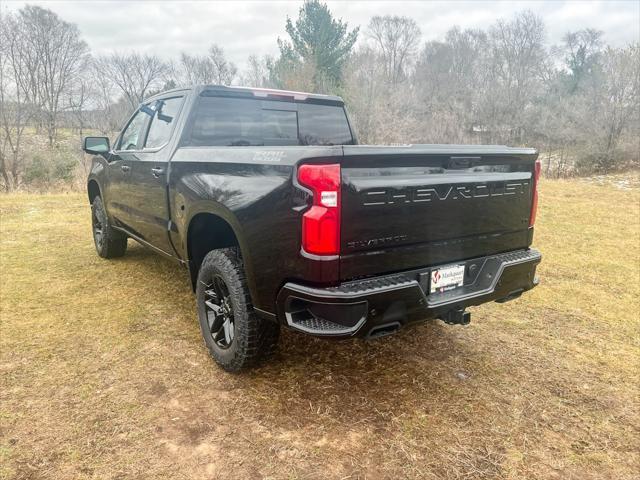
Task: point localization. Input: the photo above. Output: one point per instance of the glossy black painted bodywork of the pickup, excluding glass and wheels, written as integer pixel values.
(404, 208)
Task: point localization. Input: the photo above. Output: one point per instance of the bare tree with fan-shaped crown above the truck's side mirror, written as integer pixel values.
(134, 74)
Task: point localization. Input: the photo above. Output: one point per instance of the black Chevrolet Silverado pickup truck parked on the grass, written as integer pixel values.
(282, 219)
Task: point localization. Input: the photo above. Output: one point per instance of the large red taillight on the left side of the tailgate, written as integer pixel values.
(321, 222)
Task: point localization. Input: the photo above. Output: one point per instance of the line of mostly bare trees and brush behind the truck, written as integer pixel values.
(577, 102)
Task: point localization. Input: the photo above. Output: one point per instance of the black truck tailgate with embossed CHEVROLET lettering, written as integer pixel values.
(415, 206)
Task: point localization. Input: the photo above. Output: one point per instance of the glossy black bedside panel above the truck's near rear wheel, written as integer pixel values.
(252, 188)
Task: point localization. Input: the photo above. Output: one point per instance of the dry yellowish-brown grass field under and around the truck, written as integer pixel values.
(104, 375)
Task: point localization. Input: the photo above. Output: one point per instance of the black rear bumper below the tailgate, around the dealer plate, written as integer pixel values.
(364, 308)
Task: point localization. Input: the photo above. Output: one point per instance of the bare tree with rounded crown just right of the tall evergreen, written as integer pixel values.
(397, 40)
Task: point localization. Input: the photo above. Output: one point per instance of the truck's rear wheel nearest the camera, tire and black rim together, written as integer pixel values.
(235, 336)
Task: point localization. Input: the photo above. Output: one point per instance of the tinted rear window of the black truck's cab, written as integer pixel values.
(229, 121)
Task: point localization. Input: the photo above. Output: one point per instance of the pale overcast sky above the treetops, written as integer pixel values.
(243, 28)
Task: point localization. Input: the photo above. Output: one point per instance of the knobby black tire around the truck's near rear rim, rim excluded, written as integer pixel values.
(254, 338)
